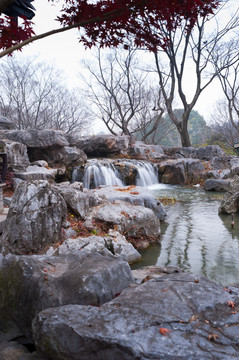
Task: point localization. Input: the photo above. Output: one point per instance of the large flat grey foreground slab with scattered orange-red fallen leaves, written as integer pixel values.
(175, 318)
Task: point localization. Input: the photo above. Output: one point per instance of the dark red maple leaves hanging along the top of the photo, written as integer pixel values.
(114, 22)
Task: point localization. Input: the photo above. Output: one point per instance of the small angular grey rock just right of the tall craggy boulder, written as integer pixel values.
(77, 201)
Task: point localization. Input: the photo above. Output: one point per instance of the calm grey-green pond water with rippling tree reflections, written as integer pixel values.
(194, 237)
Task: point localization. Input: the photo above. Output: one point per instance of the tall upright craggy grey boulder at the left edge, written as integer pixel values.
(34, 219)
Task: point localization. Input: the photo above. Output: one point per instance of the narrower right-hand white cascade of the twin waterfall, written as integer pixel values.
(147, 175)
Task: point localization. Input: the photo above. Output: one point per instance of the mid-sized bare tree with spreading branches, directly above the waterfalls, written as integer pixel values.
(120, 95)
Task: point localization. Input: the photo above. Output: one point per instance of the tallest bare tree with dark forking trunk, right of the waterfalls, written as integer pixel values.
(189, 48)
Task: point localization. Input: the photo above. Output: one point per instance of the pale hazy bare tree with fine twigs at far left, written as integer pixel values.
(33, 95)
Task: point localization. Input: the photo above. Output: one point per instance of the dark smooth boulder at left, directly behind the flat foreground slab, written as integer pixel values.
(29, 284)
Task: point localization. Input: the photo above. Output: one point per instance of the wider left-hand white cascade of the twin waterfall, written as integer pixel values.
(97, 174)
